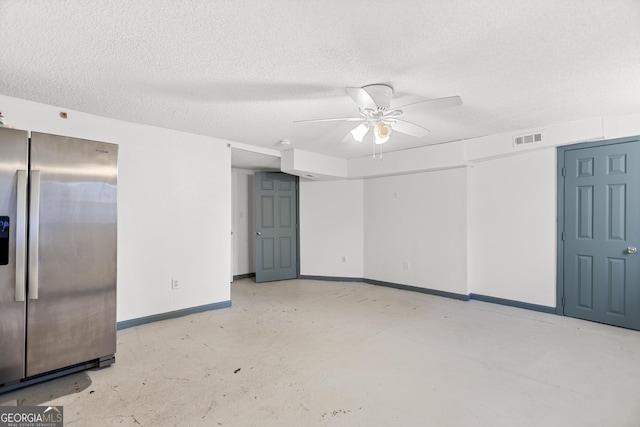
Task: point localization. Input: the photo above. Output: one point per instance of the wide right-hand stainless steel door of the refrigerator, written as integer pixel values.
(72, 252)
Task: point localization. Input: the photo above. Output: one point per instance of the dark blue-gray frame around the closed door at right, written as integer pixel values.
(560, 209)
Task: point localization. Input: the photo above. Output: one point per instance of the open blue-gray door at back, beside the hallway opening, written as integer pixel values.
(276, 228)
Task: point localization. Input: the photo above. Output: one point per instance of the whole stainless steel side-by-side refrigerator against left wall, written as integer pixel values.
(58, 235)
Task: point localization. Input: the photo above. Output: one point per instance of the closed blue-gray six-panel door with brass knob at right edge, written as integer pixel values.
(601, 233)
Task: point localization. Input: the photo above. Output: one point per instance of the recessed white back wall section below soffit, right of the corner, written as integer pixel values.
(421, 219)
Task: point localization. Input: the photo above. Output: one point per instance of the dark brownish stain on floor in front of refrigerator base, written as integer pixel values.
(52, 389)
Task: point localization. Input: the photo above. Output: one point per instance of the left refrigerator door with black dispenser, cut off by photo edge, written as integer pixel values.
(13, 158)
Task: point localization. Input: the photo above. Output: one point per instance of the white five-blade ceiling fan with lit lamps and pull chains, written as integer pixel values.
(374, 103)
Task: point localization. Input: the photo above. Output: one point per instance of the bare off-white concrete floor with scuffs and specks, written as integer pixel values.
(312, 353)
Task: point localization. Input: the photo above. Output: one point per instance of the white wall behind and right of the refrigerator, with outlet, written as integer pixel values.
(174, 207)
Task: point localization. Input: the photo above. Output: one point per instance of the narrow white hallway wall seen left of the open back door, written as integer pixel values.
(243, 223)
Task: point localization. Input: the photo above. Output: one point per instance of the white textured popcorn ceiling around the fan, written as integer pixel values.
(245, 70)
